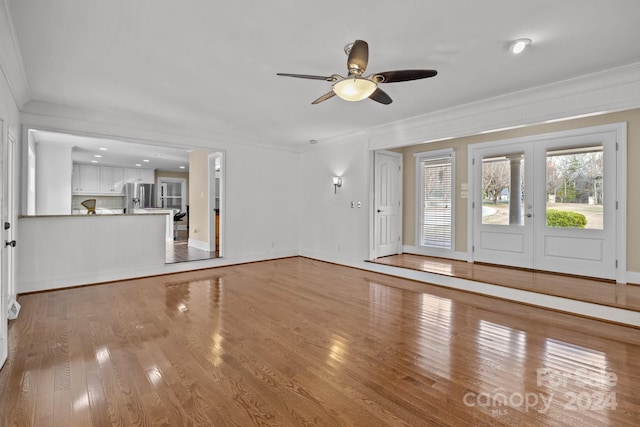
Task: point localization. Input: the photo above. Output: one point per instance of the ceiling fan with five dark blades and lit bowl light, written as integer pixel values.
(355, 87)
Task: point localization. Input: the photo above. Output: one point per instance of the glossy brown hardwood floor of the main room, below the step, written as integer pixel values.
(302, 342)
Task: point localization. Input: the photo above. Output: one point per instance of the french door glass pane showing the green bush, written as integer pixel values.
(575, 190)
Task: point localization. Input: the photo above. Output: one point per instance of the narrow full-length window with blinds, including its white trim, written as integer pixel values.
(436, 193)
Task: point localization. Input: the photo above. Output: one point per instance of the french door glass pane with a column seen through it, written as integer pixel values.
(501, 204)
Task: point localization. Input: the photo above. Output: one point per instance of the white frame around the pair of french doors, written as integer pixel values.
(620, 130)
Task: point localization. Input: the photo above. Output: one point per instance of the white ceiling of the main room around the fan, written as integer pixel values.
(210, 66)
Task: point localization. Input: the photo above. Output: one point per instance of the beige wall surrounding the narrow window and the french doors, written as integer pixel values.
(632, 117)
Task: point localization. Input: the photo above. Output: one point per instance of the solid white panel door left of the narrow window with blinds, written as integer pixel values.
(387, 194)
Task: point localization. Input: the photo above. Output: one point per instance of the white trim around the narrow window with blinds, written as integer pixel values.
(419, 191)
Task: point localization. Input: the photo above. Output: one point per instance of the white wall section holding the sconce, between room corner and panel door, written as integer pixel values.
(330, 229)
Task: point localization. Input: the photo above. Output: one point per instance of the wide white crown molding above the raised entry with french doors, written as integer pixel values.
(608, 91)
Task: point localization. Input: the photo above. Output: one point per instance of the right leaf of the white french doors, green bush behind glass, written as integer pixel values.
(589, 165)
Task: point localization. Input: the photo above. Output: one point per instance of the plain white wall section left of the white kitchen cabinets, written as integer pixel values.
(53, 179)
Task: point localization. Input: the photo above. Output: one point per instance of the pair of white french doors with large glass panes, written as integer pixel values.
(547, 204)
